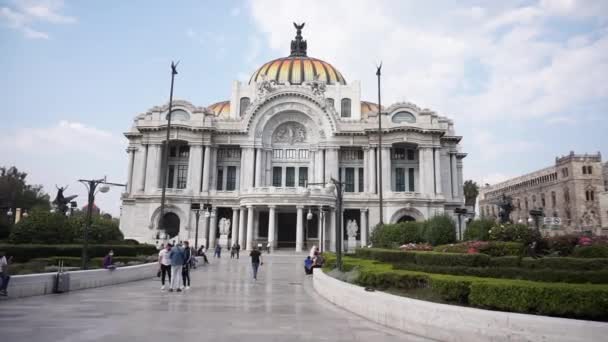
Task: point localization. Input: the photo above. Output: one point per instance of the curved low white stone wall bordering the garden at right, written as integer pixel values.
(450, 322)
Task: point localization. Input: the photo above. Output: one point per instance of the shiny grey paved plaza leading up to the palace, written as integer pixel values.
(224, 304)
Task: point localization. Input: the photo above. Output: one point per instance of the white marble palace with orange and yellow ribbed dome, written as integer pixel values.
(265, 162)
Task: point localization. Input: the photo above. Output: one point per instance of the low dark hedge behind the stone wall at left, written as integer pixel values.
(23, 253)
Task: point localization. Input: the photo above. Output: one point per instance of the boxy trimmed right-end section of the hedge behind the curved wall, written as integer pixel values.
(566, 300)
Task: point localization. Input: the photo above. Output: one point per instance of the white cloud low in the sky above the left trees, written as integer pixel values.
(65, 152)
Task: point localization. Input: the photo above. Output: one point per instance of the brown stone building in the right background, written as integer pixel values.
(574, 190)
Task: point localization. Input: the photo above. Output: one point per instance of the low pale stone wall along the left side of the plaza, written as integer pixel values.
(42, 283)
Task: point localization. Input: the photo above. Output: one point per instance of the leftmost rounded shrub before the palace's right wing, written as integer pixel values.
(395, 235)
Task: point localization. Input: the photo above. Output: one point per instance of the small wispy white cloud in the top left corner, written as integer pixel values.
(25, 14)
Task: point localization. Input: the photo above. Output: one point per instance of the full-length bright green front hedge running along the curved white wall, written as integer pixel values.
(586, 301)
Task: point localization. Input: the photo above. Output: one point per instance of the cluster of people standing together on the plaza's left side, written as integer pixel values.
(175, 262)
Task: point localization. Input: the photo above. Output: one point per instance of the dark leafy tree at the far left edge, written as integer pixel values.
(16, 193)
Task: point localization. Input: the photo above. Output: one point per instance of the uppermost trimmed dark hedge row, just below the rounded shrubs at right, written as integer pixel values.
(423, 258)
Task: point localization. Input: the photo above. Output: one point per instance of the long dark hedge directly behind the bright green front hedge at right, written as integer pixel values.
(541, 274)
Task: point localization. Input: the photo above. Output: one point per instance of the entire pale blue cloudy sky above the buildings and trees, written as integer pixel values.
(525, 81)
